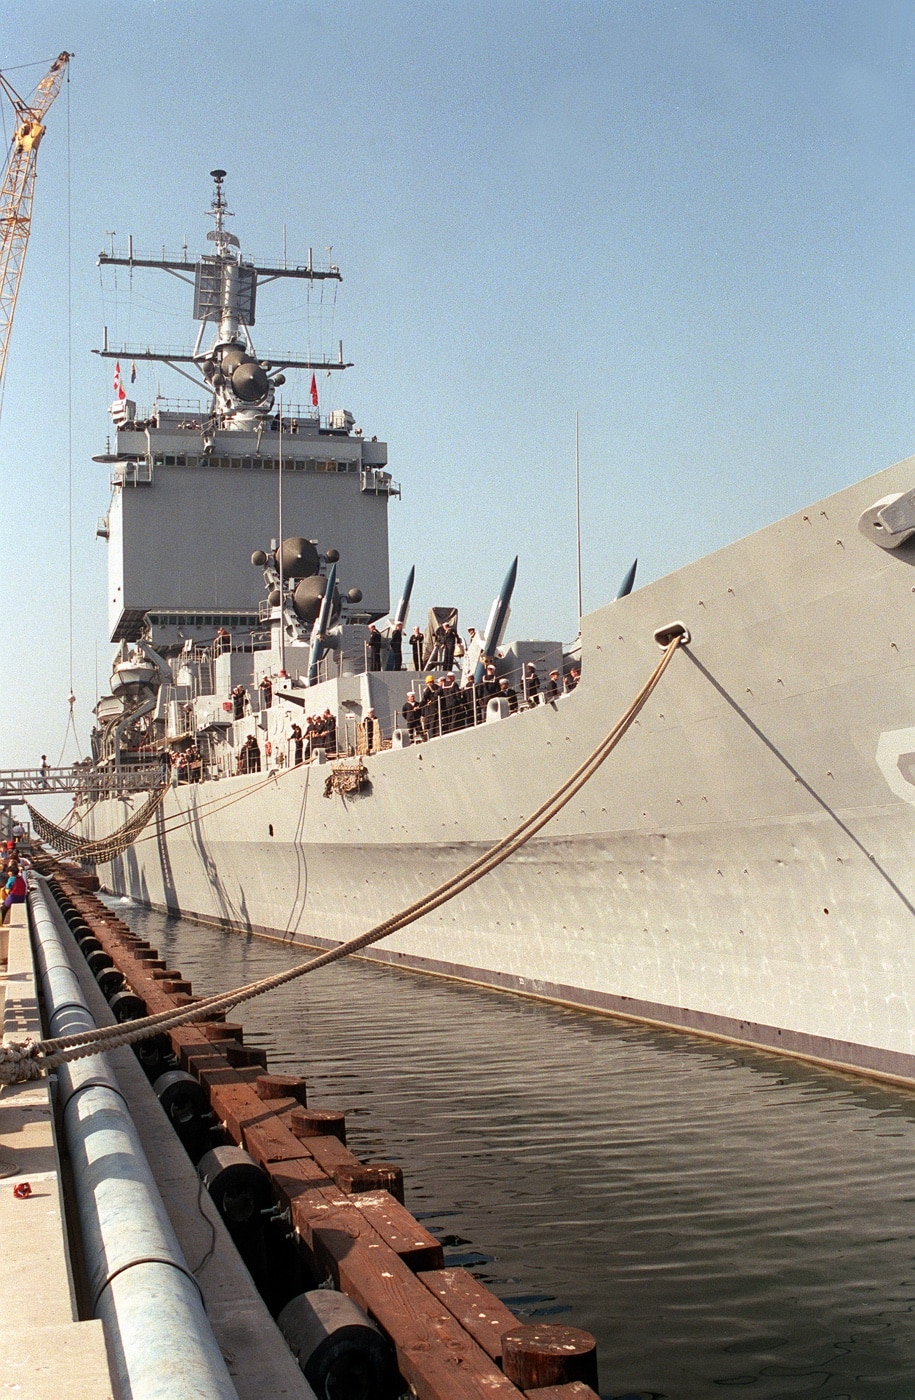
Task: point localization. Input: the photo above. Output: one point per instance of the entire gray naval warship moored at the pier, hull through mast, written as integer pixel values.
(744, 866)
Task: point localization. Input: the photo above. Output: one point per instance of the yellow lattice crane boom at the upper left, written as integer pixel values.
(19, 187)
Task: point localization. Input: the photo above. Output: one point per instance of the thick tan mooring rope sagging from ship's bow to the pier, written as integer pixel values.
(34, 1059)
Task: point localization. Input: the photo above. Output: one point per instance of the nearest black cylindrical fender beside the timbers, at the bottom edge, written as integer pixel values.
(339, 1349)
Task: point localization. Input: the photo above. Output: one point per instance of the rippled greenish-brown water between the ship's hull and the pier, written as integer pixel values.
(725, 1223)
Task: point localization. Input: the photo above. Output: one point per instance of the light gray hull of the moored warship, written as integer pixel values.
(742, 864)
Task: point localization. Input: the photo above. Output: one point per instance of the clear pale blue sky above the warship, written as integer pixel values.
(689, 223)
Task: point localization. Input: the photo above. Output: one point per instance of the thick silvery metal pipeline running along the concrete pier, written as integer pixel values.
(141, 1286)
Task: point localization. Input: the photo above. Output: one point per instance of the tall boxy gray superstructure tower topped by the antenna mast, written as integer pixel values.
(195, 489)
